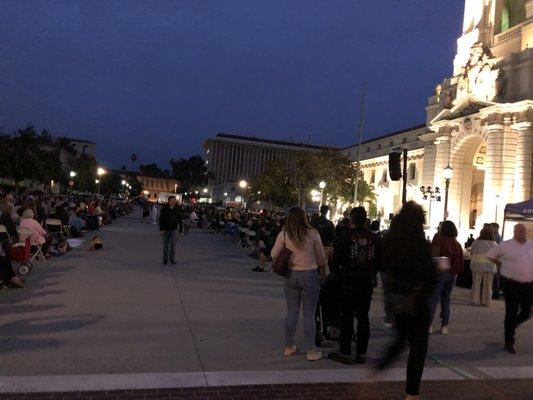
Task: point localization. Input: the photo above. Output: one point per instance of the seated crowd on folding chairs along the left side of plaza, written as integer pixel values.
(47, 222)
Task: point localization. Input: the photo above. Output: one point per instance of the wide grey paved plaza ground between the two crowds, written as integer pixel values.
(119, 321)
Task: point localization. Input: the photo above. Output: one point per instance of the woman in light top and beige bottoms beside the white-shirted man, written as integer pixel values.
(483, 269)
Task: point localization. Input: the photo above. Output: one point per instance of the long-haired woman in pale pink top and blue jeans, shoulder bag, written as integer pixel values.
(302, 285)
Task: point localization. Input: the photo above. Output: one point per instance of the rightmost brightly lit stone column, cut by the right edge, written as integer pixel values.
(523, 162)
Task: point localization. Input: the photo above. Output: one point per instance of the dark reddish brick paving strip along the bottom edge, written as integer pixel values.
(431, 390)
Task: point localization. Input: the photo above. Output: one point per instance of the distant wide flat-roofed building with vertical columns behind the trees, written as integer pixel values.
(232, 158)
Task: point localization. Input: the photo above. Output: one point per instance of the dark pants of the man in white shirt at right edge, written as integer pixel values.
(518, 298)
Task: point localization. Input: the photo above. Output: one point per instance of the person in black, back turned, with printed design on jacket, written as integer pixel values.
(357, 256)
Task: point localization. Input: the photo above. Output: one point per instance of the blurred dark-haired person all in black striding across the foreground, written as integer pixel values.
(410, 284)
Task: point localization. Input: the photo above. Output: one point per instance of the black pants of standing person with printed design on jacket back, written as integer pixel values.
(356, 299)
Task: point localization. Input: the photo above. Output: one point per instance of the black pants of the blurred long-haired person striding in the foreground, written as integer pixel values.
(414, 330)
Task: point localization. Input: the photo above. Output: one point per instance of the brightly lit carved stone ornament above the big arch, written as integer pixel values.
(479, 78)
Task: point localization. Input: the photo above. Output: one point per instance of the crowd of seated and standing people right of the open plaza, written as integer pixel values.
(418, 276)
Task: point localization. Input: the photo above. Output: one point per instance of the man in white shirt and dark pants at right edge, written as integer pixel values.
(516, 259)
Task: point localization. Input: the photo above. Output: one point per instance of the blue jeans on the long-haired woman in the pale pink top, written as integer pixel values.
(302, 289)
